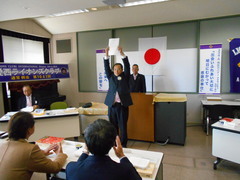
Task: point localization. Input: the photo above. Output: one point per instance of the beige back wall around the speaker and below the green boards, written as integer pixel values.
(69, 87)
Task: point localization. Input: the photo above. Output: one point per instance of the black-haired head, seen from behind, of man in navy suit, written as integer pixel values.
(100, 137)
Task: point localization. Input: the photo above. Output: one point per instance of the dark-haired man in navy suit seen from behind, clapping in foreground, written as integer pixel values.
(100, 137)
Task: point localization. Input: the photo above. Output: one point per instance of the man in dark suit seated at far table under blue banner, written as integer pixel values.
(28, 99)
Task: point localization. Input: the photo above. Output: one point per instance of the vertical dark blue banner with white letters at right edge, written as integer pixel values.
(234, 52)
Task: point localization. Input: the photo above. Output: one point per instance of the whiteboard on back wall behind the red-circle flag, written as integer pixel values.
(179, 71)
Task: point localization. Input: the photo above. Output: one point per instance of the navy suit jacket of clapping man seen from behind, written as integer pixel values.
(101, 168)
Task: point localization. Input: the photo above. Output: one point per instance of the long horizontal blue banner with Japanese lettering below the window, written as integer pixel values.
(30, 72)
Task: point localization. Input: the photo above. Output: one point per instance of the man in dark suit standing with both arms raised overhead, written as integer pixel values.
(118, 97)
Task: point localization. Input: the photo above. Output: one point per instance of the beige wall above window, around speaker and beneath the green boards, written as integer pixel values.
(69, 87)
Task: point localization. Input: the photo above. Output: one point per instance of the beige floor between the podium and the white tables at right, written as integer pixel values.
(193, 161)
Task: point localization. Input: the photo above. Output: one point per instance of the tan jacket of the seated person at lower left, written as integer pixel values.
(19, 159)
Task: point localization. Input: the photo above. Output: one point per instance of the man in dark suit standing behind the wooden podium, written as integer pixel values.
(137, 81)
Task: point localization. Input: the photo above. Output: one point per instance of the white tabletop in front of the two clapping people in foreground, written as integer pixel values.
(69, 147)
